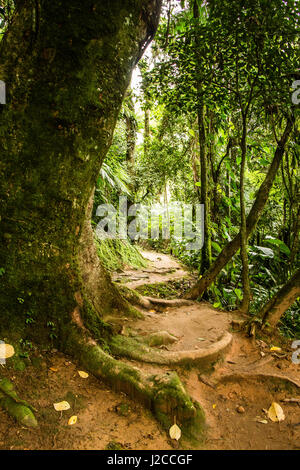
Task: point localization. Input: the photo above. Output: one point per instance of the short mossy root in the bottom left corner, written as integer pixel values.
(16, 408)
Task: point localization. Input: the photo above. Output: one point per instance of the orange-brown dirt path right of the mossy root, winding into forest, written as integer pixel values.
(236, 392)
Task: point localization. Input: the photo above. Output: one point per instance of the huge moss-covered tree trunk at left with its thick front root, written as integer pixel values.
(67, 66)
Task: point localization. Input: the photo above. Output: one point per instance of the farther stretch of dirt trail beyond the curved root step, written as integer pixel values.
(196, 326)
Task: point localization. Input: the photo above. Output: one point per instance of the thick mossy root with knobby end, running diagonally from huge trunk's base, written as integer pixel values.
(163, 394)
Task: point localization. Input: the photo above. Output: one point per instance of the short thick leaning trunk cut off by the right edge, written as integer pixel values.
(273, 310)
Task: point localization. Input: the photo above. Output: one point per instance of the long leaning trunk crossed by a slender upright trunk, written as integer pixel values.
(257, 208)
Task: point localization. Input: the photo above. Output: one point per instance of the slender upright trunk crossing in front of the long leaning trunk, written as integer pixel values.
(244, 307)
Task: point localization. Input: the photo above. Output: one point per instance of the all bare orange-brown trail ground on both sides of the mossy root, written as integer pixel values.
(235, 392)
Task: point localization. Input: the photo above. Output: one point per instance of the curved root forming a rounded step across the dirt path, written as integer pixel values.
(133, 348)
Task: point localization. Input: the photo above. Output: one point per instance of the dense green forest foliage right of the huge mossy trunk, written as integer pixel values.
(238, 59)
